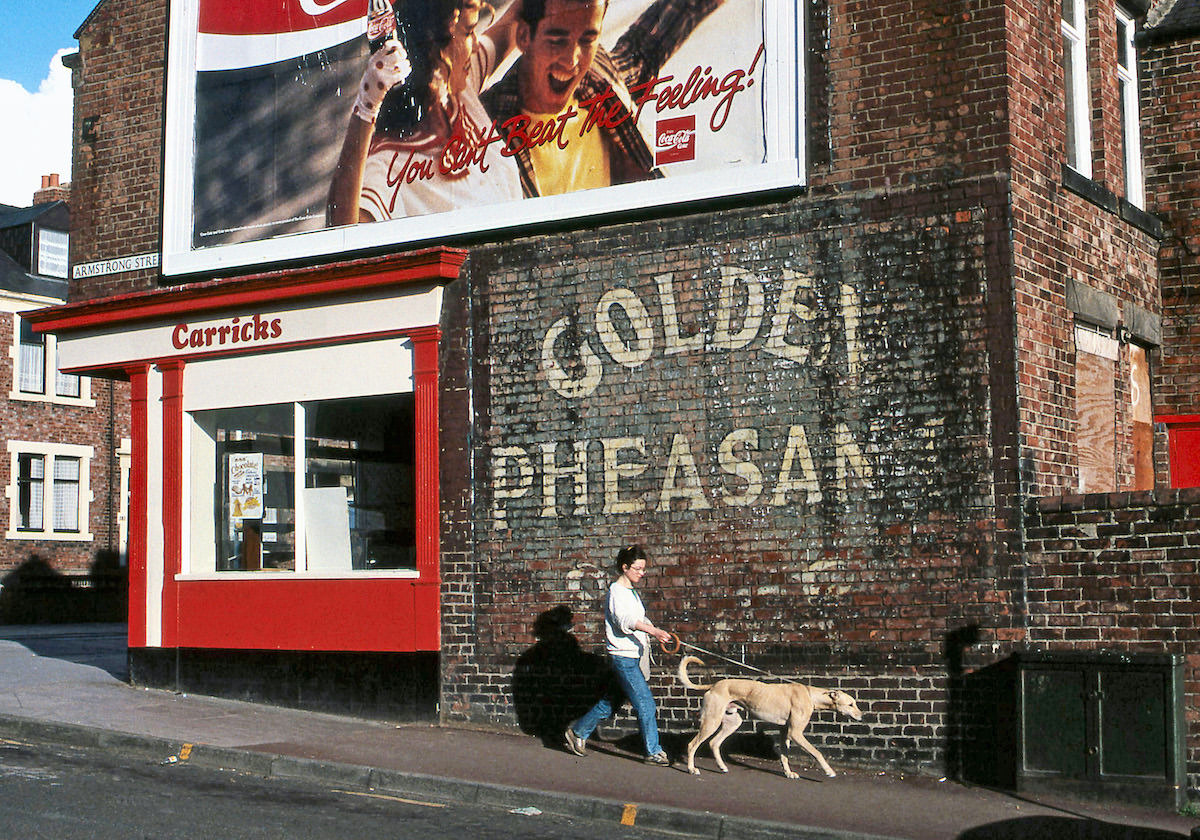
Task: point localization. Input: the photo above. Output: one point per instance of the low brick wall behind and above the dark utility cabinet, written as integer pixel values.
(1119, 572)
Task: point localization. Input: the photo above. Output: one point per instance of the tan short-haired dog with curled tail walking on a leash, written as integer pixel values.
(788, 705)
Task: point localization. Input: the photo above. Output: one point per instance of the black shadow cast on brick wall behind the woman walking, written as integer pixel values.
(556, 681)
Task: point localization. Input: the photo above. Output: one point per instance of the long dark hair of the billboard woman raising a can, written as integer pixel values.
(424, 28)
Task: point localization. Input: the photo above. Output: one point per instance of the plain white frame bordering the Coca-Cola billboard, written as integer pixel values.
(784, 79)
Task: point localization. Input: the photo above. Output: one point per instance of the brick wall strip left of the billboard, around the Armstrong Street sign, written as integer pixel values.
(116, 187)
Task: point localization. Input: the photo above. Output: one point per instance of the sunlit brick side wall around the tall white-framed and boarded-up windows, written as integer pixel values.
(1060, 236)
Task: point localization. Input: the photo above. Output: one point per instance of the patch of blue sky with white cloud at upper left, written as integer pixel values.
(35, 93)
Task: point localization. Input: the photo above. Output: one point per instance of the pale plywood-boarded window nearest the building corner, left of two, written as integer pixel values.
(1096, 356)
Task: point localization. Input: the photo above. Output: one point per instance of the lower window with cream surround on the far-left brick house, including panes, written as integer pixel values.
(49, 495)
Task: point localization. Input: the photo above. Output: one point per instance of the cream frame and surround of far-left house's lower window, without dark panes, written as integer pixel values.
(53, 484)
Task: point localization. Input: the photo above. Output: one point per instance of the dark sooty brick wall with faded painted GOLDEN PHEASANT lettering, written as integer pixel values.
(789, 409)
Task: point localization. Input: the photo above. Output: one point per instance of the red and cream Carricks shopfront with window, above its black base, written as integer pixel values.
(284, 490)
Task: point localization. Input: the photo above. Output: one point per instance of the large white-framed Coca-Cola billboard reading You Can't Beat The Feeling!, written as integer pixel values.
(299, 129)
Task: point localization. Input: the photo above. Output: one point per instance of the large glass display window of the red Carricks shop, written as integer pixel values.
(321, 487)
